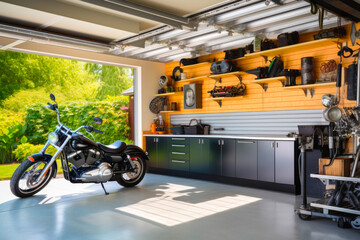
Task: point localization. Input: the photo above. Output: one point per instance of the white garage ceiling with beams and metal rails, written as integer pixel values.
(182, 29)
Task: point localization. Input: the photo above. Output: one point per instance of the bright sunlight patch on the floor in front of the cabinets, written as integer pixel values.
(166, 210)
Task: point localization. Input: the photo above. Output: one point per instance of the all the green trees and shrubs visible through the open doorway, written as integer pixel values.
(82, 90)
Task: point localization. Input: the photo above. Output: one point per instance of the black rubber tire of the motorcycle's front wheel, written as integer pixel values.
(18, 174)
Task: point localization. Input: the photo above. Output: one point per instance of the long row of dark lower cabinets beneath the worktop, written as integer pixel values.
(245, 161)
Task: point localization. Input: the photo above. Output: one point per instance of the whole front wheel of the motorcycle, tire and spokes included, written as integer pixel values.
(23, 182)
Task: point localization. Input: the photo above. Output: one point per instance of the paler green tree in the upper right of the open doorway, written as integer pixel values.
(113, 80)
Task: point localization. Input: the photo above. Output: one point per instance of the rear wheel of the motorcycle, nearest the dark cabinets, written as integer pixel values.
(131, 179)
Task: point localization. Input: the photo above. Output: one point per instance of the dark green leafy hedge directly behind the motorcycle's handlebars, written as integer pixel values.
(40, 121)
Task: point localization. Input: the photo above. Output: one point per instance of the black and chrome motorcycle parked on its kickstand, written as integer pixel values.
(83, 160)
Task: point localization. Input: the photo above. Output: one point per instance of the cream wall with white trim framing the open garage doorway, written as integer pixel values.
(147, 76)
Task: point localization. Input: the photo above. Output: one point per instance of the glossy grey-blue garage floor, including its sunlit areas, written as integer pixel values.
(161, 207)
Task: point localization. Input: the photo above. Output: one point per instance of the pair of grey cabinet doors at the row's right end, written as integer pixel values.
(276, 162)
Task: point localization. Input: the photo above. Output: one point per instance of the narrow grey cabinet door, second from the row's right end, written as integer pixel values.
(266, 161)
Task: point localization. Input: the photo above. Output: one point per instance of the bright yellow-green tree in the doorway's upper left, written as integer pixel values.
(20, 71)
